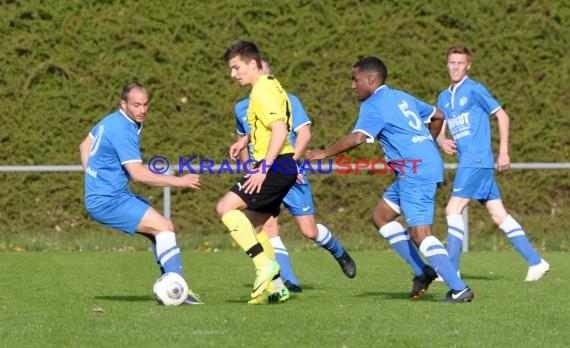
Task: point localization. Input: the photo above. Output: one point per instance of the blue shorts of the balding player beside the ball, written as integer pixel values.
(124, 212)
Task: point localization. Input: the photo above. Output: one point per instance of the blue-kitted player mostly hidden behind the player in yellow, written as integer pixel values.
(299, 199)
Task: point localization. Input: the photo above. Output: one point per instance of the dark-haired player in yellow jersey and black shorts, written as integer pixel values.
(259, 194)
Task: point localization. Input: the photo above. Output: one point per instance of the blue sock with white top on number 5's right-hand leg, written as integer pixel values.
(435, 252)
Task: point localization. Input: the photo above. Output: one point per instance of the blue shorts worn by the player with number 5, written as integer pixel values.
(416, 201)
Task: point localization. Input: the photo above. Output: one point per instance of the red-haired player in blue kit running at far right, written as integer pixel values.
(467, 105)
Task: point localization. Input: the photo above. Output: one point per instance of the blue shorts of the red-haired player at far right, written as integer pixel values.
(476, 183)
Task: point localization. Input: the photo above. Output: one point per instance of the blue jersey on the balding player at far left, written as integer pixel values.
(116, 142)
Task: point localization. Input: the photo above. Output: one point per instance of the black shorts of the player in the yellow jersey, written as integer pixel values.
(281, 176)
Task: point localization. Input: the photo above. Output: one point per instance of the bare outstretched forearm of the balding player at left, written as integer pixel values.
(140, 173)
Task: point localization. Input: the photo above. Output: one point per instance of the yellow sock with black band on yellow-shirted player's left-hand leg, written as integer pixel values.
(243, 233)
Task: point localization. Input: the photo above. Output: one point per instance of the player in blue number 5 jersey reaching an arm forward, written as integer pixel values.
(397, 120)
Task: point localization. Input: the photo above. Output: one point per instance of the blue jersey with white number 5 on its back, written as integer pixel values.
(397, 120)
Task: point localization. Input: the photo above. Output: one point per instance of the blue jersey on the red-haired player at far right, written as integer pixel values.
(467, 108)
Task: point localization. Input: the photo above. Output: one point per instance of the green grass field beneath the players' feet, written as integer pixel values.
(62, 299)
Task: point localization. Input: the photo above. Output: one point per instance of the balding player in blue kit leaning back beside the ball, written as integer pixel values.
(111, 157)
